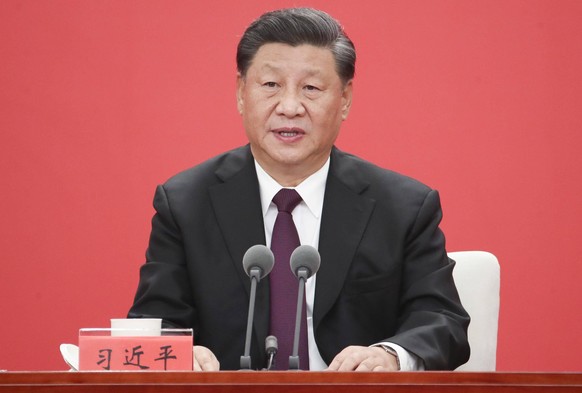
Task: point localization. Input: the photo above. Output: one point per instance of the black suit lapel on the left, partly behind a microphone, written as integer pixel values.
(237, 205)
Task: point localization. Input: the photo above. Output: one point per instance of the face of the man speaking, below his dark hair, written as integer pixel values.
(292, 102)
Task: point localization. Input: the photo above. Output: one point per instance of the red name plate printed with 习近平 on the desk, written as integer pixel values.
(107, 350)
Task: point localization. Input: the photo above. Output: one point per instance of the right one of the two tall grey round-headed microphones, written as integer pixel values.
(304, 263)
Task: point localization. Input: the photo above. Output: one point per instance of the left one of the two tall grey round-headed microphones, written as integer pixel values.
(258, 261)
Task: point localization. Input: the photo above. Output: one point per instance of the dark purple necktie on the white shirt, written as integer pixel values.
(284, 284)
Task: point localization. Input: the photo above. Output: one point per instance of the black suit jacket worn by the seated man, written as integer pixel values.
(384, 273)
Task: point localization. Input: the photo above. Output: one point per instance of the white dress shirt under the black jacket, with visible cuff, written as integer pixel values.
(307, 219)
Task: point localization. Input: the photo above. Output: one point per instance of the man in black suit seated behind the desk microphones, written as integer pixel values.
(383, 298)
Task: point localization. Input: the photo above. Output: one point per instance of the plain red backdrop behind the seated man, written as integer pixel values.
(102, 100)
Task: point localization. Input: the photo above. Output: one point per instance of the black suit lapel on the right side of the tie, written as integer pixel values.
(344, 218)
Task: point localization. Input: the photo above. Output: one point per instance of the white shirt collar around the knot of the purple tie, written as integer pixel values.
(312, 189)
